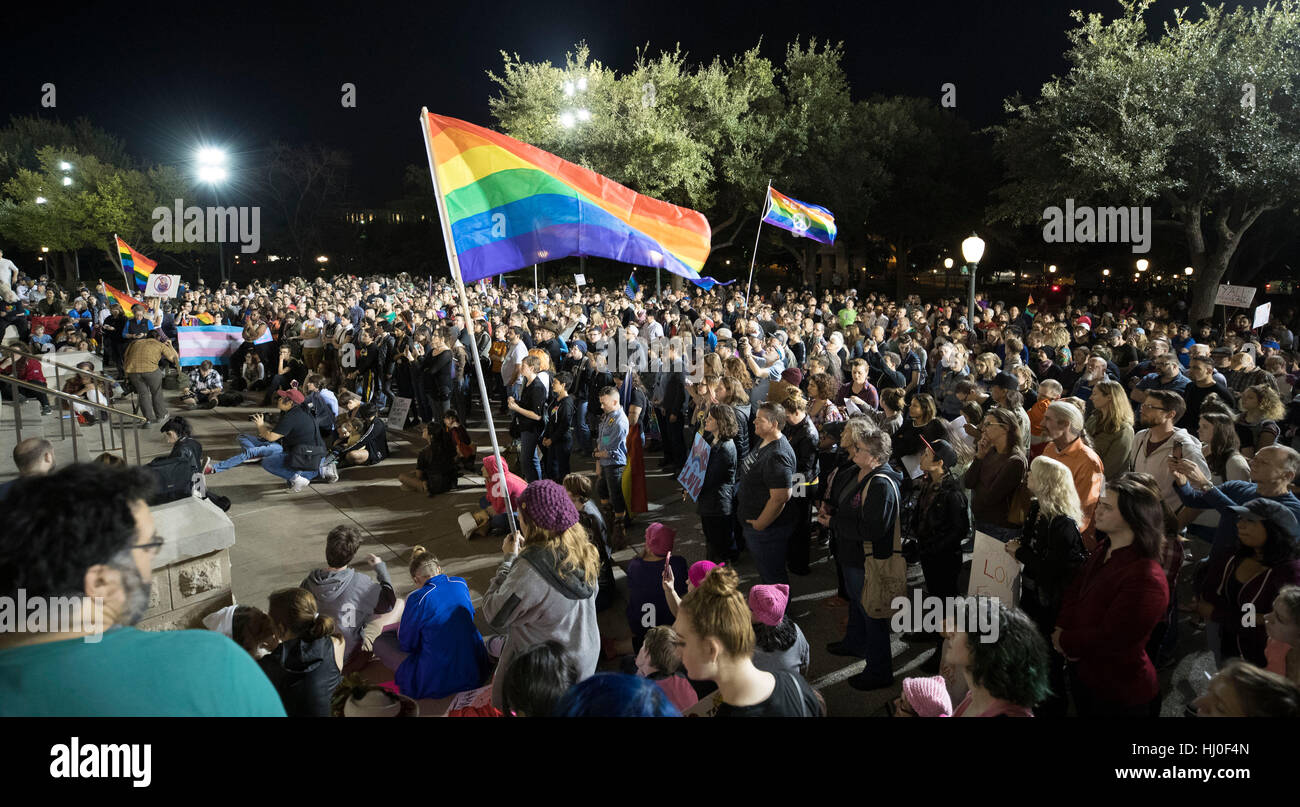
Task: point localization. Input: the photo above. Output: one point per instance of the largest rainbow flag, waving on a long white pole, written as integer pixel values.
(510, 206)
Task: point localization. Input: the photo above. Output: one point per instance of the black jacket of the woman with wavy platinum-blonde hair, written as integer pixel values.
(1052, 553)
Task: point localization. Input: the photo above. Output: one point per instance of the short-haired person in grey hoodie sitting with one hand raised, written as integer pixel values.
(362, 608)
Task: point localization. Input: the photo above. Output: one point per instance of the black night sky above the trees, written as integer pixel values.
(166, 76)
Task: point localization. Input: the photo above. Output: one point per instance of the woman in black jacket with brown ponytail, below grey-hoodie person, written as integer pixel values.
(305, 669)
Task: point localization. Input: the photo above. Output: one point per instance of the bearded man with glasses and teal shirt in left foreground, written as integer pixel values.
(83, 543)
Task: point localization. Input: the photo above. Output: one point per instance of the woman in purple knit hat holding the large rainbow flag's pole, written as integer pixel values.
(545, 589)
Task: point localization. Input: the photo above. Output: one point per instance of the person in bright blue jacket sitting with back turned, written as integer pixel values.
(436, 652)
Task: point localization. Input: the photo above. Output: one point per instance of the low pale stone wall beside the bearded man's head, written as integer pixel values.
(192, 574)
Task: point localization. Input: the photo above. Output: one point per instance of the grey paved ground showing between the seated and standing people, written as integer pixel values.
(280, 539)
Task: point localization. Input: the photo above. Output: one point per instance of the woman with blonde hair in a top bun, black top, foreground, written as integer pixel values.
(718, 641)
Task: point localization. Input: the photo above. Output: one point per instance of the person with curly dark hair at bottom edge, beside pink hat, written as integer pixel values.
(1006, 676)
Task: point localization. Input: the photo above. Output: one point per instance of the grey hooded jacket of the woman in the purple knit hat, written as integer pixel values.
(534, 601)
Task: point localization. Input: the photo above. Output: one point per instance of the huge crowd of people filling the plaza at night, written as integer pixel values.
(1119, 452)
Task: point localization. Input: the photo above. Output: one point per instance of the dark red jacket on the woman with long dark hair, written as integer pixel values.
(1107, 619)
